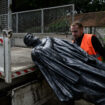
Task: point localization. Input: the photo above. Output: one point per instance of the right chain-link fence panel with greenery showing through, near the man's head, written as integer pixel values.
(57, 19)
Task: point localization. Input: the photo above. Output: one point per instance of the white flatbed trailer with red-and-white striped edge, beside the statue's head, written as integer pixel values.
(21, 83)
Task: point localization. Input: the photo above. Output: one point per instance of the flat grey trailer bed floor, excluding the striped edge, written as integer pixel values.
(20, 58)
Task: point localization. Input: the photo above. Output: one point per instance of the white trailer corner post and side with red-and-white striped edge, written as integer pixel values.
(5, 64)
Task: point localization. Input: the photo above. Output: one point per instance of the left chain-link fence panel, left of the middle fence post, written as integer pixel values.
(27, 21)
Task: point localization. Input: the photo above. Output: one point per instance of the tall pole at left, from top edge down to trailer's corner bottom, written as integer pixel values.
(7, 46)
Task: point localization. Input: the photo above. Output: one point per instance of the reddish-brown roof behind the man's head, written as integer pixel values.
(96, 19)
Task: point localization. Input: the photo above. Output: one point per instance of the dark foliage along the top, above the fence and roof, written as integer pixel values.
(80, 5)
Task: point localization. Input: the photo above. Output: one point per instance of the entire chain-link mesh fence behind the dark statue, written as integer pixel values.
(47, 20)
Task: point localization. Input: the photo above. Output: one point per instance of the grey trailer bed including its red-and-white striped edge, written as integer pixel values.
(21, 62)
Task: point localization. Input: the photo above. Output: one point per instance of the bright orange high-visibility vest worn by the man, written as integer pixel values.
(86, 45)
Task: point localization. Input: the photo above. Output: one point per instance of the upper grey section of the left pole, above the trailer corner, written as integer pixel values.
(9, 14)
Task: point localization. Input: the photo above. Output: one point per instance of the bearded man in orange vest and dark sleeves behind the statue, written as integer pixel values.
(87, 42)
